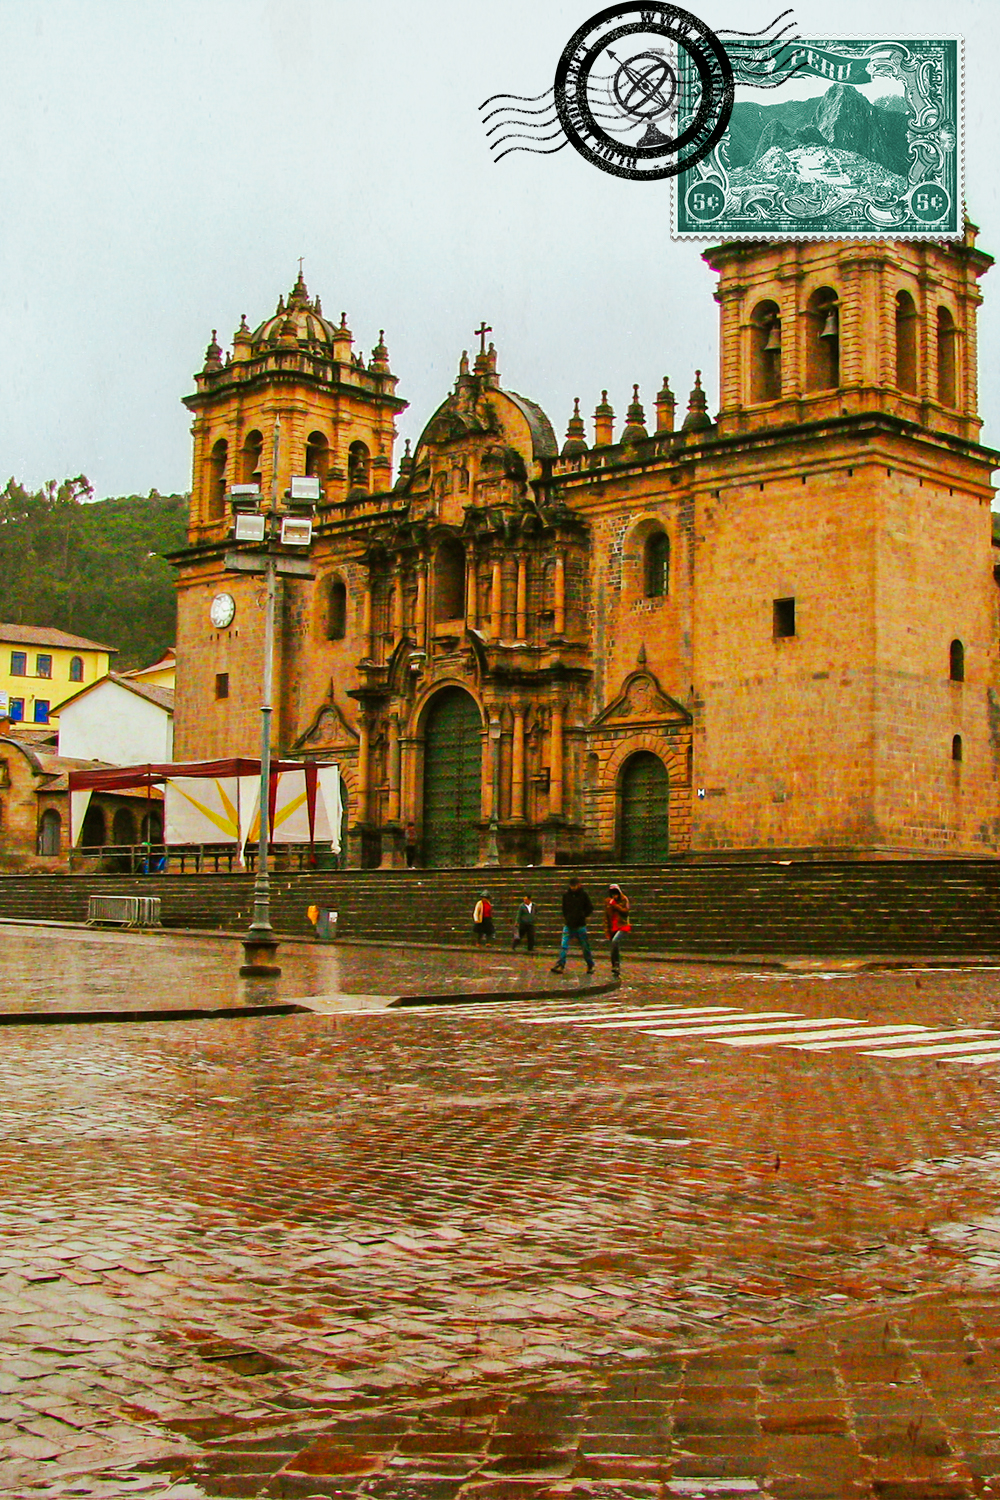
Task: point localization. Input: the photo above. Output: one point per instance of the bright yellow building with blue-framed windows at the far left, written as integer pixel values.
(41, 668)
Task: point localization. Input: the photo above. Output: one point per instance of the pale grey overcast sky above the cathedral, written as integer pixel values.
(167, 164)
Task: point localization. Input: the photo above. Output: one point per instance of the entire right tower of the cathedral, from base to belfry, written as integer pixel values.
(846, 614)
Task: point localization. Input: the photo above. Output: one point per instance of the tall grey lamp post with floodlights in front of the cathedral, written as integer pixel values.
(269, 530)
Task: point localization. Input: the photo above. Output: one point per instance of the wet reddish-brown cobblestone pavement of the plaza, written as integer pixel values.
(493, 1253)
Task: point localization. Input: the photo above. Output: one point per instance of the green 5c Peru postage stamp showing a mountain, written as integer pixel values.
(864, 140)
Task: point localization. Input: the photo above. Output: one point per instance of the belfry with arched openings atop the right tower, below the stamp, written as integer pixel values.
(830, 329)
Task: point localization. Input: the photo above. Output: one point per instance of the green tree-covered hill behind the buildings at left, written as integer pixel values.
(92, 568)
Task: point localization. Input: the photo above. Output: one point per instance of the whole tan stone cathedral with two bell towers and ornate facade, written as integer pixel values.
(773, 631)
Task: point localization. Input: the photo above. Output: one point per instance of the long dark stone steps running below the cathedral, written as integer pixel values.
(921, 907)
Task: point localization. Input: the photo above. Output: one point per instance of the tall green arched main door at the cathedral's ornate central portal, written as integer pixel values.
(454, 754)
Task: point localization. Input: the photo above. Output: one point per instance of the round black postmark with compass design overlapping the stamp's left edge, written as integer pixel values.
(644, 91)
